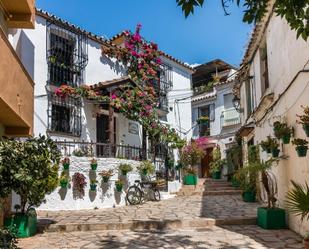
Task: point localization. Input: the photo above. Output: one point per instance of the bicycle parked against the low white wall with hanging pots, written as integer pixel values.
(142, 191)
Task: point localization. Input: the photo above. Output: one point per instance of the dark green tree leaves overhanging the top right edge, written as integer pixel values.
(296, 12)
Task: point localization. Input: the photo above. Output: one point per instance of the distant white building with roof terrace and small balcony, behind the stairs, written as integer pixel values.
(212, 97)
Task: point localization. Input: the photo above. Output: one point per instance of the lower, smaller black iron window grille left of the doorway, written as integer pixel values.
(64, 115)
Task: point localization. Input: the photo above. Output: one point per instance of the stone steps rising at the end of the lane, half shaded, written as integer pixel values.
(209, 187)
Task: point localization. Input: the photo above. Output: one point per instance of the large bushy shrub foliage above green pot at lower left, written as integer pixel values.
(29, 168)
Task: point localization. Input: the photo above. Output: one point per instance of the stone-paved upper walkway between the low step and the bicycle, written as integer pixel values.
(176, 209)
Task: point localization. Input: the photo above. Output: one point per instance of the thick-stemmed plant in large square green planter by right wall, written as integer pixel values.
(269, 217)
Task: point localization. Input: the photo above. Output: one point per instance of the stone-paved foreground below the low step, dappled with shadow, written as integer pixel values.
(229, 237)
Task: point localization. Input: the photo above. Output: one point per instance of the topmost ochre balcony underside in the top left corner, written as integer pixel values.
(20, 13)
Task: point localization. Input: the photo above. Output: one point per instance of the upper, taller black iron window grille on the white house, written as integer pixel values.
(67, 54)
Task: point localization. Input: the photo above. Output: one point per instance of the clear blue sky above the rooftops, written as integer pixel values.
(206, 35)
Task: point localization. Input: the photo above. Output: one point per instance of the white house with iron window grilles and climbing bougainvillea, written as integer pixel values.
(57, 53)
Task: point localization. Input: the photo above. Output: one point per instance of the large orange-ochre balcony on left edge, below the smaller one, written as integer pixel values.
(16, 95)
